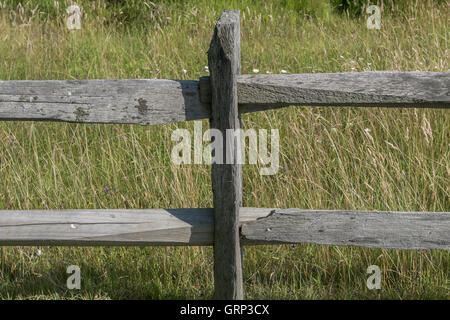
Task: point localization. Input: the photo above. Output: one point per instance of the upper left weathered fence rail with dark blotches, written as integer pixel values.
(131, 101)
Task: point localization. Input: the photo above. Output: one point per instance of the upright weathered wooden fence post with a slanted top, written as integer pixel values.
(224, 59)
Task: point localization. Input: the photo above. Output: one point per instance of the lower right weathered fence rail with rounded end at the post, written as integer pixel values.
(390, 230)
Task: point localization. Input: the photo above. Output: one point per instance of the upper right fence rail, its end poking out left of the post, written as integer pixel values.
(370, 89)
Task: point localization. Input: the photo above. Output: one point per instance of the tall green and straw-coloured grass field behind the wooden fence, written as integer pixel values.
(331, 158)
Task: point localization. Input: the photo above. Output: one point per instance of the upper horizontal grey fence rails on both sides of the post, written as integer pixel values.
(157, 101)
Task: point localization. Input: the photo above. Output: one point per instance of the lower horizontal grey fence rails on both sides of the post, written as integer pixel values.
(194, 227)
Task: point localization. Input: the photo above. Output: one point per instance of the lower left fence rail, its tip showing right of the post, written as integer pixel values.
(114, 227)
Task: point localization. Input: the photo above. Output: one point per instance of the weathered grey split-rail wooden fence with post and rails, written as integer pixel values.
(221, 98)
